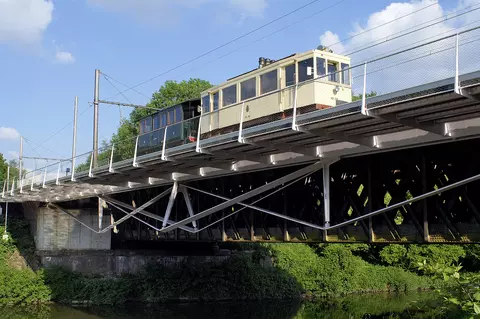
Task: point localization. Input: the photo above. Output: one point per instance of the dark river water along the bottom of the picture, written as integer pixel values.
(418, 305)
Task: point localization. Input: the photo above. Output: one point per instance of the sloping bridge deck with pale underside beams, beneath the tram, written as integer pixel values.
(418, 116)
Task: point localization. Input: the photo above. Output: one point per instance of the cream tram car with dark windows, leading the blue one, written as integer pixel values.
(319, 78)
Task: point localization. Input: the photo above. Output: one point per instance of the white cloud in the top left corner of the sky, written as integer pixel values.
(23, 22)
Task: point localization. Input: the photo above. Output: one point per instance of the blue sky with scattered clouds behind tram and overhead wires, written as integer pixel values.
(49, 51)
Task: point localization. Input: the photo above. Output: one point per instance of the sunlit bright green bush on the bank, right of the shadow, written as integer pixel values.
(334, 270)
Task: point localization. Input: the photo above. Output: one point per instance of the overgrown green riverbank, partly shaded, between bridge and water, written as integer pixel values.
(268, 272)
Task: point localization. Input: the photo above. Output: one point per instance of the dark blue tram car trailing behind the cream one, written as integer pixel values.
(176, 125)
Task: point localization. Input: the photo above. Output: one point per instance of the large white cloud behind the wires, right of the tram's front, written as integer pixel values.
(419, 66)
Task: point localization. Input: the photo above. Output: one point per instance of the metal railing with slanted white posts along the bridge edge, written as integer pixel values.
(446, 57)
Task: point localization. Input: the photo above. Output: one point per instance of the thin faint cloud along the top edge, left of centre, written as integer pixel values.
(169, 11)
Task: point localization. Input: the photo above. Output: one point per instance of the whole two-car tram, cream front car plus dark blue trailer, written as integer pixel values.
(316, 79)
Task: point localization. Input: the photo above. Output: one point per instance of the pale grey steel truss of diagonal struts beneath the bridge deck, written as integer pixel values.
(285, 181)
